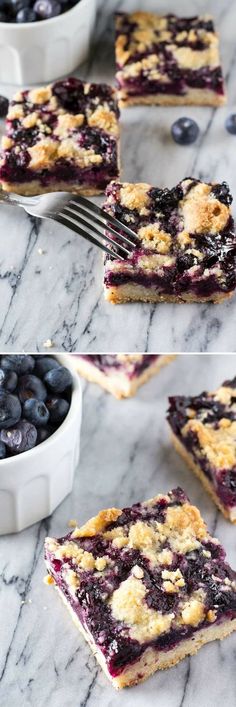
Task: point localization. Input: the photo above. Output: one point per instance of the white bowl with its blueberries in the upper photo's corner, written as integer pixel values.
(41, 40)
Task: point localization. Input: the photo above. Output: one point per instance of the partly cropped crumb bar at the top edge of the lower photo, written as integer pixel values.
(120, 374)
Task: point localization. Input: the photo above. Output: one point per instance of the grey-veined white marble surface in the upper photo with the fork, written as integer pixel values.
(58, 295)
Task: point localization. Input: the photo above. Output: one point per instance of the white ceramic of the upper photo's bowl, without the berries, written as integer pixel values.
(38, 52)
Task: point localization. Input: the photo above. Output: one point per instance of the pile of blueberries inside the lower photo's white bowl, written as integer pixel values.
(35, 396)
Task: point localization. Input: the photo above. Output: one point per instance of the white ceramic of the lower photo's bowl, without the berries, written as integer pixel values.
(32, 484)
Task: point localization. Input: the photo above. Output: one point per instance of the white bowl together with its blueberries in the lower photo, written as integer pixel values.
(40, 419)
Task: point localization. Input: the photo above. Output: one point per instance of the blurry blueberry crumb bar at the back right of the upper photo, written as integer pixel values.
(167, 60)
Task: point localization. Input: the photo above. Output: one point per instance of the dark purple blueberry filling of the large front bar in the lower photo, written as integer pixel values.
(204, 568)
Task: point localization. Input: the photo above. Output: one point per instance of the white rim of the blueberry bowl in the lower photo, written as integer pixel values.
(76, 399)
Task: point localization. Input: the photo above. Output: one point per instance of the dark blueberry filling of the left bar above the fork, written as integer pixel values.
(71, 97)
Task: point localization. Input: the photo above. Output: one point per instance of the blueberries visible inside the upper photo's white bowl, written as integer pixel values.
(33, 10)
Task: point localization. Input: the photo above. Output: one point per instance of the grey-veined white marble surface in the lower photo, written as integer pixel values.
(126, 456)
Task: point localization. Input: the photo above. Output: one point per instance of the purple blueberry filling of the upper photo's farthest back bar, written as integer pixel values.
(177, 80)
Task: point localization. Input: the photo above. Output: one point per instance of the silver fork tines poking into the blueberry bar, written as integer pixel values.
(98, 227)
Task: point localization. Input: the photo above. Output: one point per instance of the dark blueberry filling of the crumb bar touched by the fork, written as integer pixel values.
(185, 270)
